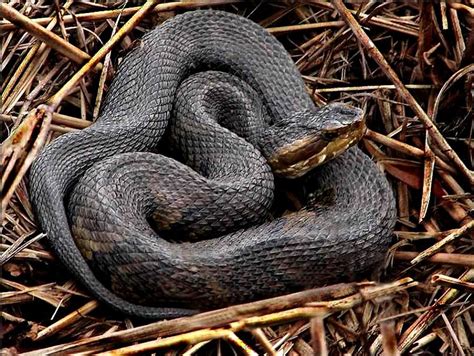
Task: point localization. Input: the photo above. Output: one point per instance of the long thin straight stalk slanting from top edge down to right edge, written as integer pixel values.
(433, 131)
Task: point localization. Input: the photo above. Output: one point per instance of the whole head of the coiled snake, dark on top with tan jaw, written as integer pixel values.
(311, 138)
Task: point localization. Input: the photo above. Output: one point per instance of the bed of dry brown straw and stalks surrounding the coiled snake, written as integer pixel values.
(409, 64)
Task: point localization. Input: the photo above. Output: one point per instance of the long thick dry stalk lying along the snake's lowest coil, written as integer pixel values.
(351, 294)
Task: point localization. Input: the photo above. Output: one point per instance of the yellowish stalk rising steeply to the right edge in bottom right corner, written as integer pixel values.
(424, 321)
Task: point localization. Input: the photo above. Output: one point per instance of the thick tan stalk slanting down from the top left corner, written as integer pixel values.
(53, 40)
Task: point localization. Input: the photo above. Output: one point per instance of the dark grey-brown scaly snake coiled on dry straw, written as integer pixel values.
(160, 236)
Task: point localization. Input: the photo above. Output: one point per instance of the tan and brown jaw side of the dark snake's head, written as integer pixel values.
(298, 158)
